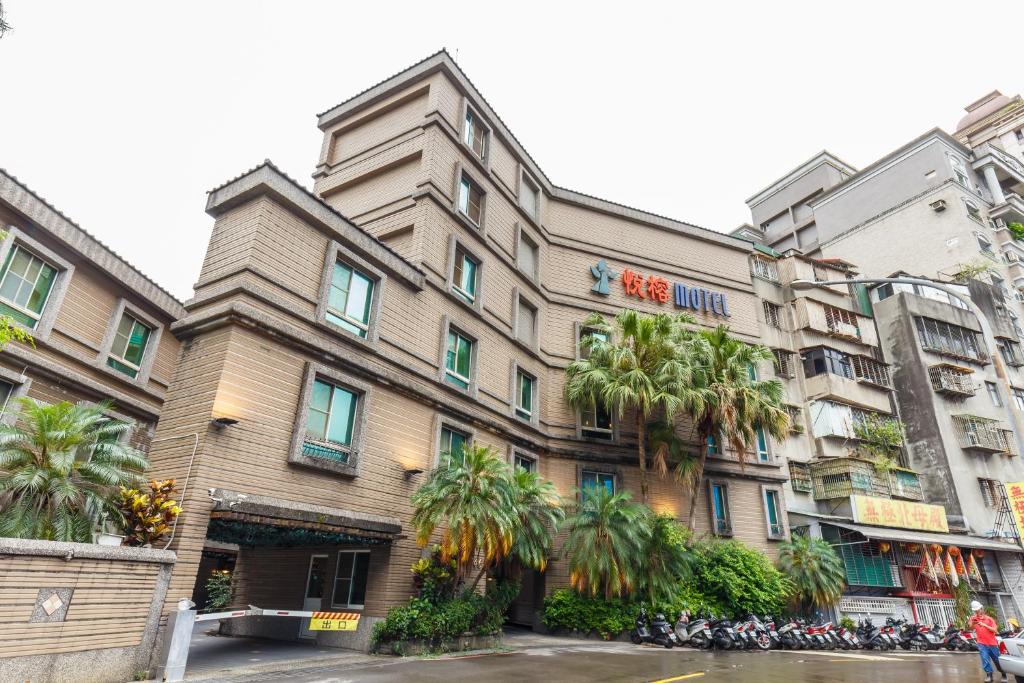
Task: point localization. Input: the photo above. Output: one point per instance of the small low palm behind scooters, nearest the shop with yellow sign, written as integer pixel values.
(815, 569)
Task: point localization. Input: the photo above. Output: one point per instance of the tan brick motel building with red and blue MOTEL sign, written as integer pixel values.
(428, 294)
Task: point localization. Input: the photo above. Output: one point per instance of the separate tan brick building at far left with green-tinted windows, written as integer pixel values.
(100, 325)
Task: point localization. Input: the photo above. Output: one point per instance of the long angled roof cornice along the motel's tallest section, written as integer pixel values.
(443, 63)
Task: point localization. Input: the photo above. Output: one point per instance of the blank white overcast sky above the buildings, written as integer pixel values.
(123, 114)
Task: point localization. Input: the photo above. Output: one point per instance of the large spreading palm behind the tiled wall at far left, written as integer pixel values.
(61, 469)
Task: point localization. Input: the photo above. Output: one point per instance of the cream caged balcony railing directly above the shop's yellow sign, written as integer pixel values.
(842, 478)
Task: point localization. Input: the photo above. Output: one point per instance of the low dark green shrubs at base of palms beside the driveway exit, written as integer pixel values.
(437, 622)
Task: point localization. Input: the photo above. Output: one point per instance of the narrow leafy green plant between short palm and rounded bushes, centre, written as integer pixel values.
(667, 560)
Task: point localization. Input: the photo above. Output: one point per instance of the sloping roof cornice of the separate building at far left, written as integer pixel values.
(25, 201)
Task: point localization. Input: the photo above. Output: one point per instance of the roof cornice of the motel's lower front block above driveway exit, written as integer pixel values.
(268, 181)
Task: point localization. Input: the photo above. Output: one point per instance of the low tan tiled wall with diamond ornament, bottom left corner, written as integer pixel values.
(105, 627)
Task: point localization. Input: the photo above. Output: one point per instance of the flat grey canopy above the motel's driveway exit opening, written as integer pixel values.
(263, 521)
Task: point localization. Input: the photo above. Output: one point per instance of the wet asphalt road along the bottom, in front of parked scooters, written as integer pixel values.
(620, 662)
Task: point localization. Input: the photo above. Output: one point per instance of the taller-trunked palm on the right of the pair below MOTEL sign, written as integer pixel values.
(730, 405)
